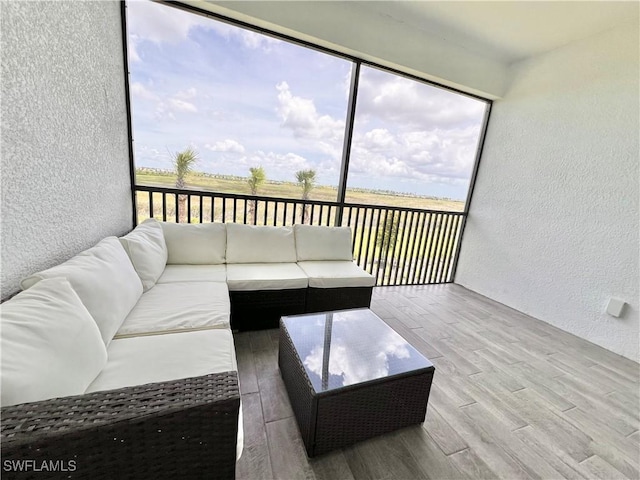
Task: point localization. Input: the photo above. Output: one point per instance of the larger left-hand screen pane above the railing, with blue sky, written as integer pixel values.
(240, 99)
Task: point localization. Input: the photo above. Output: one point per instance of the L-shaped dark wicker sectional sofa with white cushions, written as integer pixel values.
(120, 363)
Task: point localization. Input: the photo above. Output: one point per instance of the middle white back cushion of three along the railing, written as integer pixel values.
(260, 244)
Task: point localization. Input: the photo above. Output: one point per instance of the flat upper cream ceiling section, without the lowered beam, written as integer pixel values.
(508, 30)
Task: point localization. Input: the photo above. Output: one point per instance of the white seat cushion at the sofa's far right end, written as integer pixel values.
(336, 274)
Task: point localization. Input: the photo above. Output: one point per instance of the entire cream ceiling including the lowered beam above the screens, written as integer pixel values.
(468, 45)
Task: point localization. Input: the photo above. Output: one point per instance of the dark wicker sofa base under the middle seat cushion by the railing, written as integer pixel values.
(259, 309)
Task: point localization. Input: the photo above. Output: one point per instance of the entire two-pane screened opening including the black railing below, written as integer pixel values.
(250, 126)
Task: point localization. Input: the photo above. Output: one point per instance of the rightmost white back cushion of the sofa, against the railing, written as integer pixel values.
(322, 243)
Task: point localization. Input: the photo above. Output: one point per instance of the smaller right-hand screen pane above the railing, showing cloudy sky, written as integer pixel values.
(413, 140)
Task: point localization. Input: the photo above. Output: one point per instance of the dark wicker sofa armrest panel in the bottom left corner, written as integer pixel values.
(179, 429)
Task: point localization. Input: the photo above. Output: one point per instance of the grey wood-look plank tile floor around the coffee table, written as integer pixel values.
(512, 398)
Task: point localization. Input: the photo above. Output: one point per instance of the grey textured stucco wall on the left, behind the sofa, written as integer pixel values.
(65, 172)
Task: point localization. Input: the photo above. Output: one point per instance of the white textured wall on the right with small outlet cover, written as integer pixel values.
(553, 228)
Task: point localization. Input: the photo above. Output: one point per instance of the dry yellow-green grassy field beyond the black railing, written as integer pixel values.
(411, 247)
